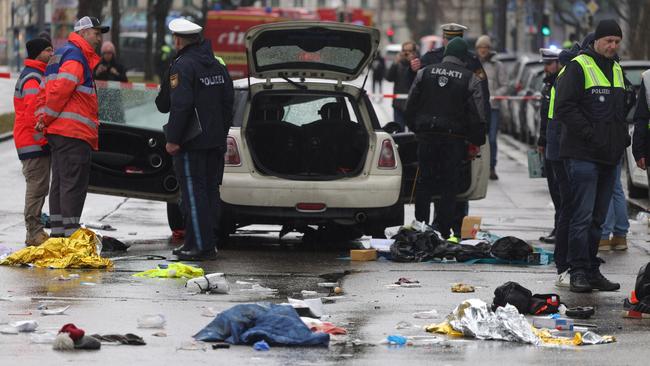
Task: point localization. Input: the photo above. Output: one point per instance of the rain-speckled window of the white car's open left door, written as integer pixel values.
(129, 104)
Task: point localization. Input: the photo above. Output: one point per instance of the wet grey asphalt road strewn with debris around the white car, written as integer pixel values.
(112, 301)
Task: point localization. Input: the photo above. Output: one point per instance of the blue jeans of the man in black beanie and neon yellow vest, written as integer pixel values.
(591, 190)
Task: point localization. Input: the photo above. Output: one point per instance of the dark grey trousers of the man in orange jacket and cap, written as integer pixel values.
(70, 175)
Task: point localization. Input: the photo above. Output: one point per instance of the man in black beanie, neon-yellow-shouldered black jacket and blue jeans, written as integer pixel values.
(590, 105)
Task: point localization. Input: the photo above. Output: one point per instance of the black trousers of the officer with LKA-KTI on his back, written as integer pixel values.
(439, 162)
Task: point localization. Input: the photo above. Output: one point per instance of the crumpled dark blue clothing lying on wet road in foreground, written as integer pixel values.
(249, 323)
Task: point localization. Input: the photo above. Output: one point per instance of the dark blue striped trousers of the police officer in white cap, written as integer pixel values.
(200, 173)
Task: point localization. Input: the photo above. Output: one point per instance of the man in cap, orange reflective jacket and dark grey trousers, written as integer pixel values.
(69, 118)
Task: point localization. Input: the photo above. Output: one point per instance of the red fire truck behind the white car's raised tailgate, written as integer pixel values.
(226, 29)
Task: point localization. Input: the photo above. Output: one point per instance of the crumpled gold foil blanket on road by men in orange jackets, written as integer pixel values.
(77, 251)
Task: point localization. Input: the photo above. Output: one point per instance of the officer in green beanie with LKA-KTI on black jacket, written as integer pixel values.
(445, 110)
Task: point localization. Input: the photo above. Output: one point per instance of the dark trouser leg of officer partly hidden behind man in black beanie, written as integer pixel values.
(557, 170)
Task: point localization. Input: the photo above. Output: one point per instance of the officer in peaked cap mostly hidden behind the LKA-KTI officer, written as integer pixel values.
(471, 61)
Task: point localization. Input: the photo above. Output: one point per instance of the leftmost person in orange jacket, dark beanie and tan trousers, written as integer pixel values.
(33, 150)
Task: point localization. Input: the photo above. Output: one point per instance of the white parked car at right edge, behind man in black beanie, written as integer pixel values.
(637, 179)
